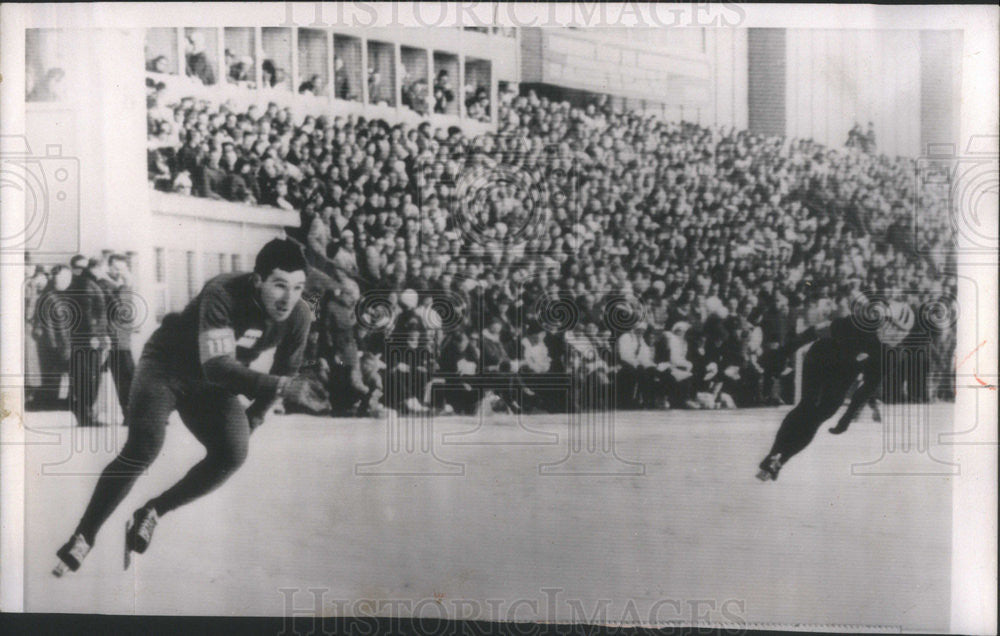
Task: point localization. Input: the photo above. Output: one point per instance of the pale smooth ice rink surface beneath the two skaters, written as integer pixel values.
(671, 527)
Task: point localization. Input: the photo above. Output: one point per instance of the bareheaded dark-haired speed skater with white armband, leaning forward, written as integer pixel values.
(196, 363)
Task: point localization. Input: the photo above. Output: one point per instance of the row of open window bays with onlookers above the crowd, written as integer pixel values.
(320, 63)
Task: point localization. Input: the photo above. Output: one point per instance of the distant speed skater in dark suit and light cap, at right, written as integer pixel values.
(830, 368)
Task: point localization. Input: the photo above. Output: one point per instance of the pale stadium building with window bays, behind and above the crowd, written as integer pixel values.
(770, 81)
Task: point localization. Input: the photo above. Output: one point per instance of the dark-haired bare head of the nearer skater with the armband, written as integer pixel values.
(280, 277)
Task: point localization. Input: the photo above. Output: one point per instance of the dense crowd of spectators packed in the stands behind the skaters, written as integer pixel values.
(670, 261)
